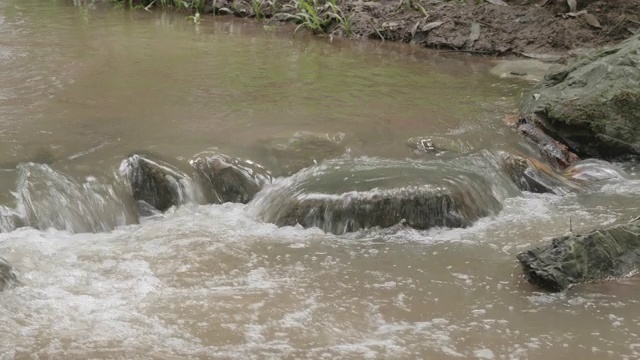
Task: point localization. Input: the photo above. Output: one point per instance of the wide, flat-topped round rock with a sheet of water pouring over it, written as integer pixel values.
(340, 197)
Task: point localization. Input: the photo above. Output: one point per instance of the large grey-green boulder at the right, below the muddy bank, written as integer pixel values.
(593, 104)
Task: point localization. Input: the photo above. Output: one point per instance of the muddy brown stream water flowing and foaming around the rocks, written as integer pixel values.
(82, 88)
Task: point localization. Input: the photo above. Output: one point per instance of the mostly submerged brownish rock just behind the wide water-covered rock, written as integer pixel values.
(287, 156)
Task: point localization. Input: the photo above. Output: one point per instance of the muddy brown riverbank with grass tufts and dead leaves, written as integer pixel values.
(549, 30)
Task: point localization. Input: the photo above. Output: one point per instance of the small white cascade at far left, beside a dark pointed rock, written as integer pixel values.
(49, 199)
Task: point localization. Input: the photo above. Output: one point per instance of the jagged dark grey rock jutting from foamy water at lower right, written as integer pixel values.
(598, 255)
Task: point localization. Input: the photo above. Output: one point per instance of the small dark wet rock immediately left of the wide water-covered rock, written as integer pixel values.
(224, 179)
